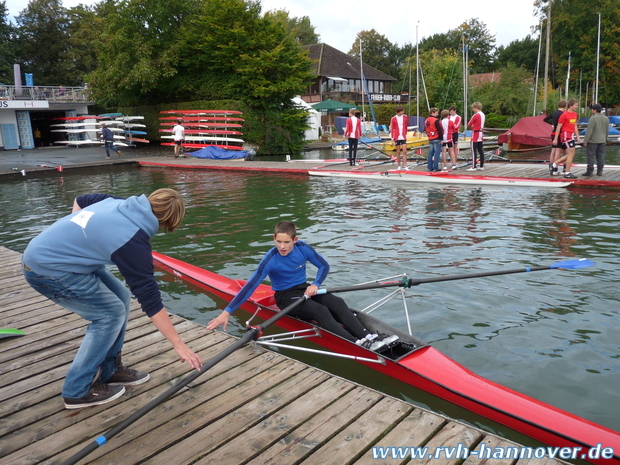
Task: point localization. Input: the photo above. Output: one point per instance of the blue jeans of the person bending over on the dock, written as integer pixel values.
(104, 301)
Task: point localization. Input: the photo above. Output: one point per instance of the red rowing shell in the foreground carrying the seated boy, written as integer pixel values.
(428, 369)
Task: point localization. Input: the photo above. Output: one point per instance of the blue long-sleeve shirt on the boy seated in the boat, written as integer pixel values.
(284, 271)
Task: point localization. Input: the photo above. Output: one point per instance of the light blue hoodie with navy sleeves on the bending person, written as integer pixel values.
(106, 231)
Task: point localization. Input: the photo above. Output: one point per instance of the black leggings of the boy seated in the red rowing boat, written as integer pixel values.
(327, 310)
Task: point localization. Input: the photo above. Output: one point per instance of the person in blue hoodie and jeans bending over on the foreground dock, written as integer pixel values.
(67, 264)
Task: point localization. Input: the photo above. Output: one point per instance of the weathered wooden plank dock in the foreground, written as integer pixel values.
(255, 407)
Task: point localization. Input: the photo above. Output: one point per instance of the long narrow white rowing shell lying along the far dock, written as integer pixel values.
(443, 178)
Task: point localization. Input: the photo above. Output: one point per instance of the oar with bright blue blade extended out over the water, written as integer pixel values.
(409, 282)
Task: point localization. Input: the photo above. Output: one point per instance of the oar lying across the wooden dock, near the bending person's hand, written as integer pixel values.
(252, 334)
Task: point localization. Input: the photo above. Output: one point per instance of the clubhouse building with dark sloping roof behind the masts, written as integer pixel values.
(338, 78)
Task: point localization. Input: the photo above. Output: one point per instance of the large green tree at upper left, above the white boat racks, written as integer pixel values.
(139, 50)
